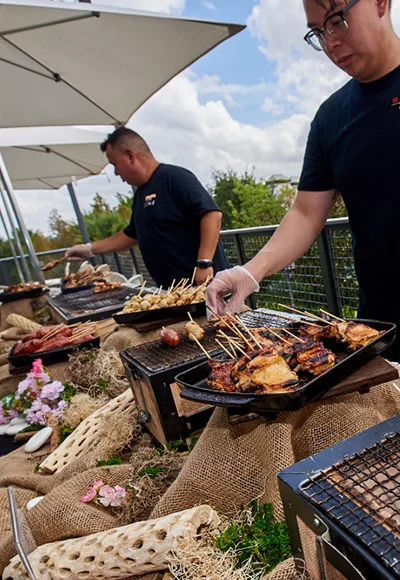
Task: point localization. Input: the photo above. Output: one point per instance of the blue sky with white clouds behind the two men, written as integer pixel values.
(245, 105)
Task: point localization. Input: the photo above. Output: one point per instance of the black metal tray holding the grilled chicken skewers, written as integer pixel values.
(194, 387)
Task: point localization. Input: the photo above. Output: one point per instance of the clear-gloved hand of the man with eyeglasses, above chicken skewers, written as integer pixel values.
(237, 281)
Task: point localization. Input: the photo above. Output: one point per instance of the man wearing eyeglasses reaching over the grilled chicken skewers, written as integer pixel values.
(352, 148)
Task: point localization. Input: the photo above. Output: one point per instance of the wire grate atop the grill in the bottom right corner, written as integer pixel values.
(362, 494)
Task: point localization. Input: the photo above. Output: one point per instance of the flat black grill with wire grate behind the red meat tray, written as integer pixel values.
(88, 305)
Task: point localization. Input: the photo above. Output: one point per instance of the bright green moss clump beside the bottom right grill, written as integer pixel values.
(258, 539)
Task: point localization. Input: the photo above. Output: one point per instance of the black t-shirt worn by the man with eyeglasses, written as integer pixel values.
(353, 147)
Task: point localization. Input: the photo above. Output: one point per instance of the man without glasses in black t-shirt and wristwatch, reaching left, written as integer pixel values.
(174, 220)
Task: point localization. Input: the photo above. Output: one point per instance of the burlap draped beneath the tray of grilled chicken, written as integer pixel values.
(231, 465)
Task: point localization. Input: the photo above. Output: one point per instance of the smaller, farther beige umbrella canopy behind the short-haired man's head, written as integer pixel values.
(48, 157)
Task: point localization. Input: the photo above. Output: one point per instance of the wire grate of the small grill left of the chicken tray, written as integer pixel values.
(157, 356)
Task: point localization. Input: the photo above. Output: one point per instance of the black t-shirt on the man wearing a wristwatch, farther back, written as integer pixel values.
(165, 220)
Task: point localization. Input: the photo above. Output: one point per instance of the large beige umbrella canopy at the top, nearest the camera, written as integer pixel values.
(75, 64)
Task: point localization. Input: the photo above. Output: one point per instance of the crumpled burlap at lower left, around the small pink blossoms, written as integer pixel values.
(60, 514)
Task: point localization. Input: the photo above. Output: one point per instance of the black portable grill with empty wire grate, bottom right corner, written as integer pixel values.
(349, 497)
